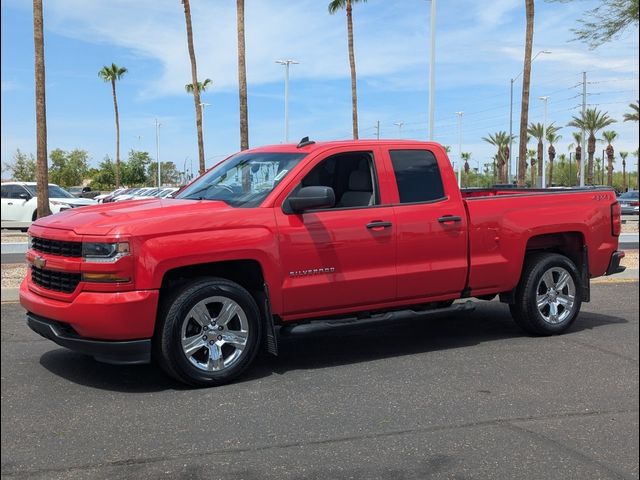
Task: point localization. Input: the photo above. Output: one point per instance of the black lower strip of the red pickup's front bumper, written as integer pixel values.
(121, 352)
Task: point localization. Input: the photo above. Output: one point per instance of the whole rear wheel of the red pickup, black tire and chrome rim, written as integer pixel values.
(548, 297)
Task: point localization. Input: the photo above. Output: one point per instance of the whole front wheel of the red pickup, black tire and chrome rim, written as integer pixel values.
(208, 333)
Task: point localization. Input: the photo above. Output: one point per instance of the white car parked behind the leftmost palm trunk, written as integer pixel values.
(19, 202)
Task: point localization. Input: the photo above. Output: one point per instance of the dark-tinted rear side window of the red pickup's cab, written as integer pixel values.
(417, 175)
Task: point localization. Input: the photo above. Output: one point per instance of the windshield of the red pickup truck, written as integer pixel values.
(243, 180)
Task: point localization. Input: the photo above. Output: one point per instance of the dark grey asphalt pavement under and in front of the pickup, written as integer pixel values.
(468, 396)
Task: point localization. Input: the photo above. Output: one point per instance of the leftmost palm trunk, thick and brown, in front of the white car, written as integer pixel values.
(42, 172)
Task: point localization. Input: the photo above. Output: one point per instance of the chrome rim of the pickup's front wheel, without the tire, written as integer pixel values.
(214, 334)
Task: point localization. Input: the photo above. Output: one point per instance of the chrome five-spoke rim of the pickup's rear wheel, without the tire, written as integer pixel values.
(556, 295)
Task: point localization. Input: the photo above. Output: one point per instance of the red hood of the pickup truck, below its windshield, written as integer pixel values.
(145, 217)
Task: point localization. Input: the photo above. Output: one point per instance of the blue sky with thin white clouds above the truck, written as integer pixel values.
(479, 48)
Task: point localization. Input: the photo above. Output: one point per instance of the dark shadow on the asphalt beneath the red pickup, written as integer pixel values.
(319, 346)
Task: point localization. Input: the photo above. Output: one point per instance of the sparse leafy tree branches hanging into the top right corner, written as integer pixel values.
(607, 21)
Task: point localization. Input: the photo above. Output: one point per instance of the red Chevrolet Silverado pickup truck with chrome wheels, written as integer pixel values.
(285, 234)
